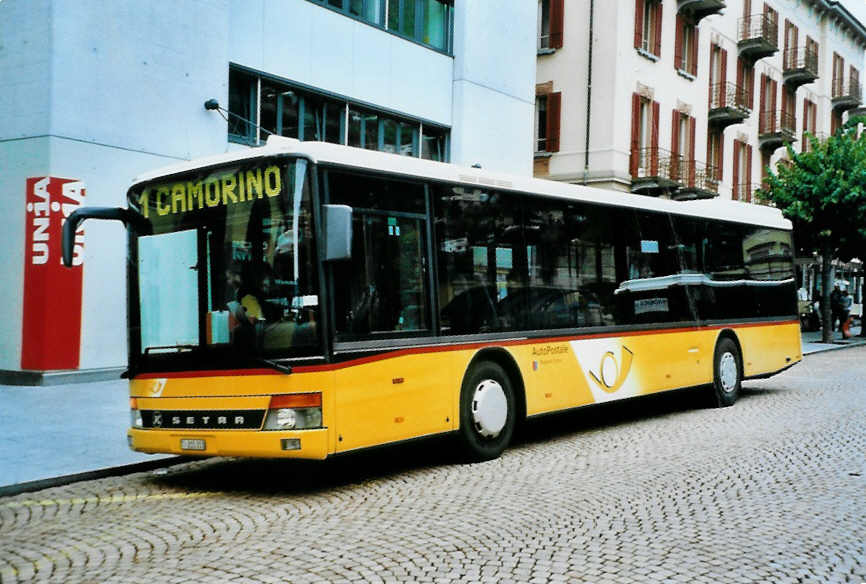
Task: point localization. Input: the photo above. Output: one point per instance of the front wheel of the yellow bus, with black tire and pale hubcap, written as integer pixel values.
(487, 411)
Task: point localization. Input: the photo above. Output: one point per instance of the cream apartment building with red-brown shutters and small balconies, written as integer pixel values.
(689, 98)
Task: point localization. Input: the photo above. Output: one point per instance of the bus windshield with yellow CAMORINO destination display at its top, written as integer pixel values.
(230, 270)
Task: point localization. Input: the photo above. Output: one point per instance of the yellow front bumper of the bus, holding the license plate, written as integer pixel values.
(310, 444)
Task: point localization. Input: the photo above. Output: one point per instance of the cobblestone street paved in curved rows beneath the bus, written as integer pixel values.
(658, 489)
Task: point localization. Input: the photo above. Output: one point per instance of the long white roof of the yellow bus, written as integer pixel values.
(326, 153)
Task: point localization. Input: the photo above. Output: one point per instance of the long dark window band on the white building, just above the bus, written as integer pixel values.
(286, 110)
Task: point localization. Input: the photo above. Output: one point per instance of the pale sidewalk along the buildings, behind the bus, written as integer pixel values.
(58, 434)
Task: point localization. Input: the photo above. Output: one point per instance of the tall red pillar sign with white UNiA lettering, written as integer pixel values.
(52, 293)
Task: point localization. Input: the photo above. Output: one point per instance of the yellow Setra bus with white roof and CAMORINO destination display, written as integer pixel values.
(305, 299)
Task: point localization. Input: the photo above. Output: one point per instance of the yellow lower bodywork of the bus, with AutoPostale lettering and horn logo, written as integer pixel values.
(416, 392)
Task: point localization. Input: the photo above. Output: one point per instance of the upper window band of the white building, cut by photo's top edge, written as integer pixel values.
(425, 21)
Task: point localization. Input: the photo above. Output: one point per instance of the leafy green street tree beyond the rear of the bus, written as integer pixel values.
(823, 192)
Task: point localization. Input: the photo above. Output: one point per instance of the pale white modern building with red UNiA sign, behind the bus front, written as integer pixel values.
(96, 92)
